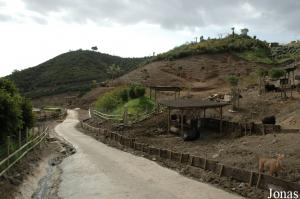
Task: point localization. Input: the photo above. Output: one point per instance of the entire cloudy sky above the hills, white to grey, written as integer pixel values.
(33, 31)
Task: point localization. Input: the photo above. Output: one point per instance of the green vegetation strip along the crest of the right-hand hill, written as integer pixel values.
(243, 46)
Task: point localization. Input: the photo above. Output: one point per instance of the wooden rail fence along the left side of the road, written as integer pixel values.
(14, 156)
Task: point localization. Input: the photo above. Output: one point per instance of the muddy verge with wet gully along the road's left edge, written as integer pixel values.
(37, 175)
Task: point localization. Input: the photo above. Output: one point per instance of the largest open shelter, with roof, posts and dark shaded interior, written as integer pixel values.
(187, 118)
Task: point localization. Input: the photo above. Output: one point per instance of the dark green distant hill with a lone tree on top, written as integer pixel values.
(71, 71)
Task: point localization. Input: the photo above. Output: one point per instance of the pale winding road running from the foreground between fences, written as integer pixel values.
(99, 171)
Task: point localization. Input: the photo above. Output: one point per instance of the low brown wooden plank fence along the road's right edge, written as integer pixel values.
(250, 177)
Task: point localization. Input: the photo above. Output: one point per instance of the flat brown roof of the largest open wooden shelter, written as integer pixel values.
(193, 103)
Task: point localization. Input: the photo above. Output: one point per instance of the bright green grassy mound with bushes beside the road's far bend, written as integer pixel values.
(131, 98)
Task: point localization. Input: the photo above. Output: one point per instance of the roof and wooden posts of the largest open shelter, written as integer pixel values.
(191, 106)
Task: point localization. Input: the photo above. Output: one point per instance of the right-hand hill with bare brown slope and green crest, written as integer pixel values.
(204, 65)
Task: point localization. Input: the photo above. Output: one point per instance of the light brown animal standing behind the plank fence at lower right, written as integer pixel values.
(274, 165)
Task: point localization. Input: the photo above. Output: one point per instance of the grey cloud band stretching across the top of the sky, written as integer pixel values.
(177, 14)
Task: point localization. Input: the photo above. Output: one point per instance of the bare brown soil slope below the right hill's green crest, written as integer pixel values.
(200, 72)
